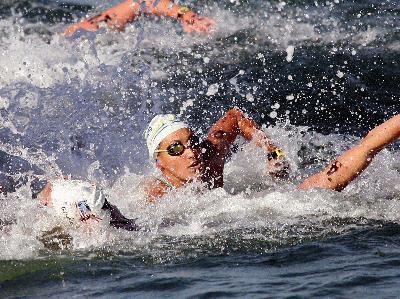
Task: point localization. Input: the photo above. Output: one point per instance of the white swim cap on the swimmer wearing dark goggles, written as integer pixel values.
(160, 127)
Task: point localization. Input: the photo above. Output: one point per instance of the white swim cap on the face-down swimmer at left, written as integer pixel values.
(73, 199)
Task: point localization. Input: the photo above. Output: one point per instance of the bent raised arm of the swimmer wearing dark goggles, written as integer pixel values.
(233, 124)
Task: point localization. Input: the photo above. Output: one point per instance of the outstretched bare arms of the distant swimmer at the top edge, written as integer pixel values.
(118, 16)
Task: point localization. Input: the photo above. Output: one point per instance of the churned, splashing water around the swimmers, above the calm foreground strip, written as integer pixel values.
(78, 107)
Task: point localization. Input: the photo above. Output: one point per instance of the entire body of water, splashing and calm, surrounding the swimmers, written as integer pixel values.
(78, 107)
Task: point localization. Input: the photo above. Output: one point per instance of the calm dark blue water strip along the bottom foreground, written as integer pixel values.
(363, 263)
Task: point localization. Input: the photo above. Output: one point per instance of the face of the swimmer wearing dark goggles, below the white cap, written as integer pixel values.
(180, 157)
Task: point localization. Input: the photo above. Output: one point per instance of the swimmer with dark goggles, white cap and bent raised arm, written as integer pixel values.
(182, 157)
